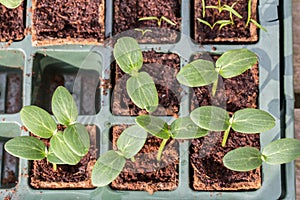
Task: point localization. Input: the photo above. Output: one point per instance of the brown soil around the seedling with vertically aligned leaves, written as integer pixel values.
(163, 69)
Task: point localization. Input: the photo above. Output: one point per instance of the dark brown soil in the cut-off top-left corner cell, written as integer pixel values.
(11, 23)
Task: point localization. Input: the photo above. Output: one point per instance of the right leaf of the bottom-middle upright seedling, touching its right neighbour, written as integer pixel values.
(185, 128)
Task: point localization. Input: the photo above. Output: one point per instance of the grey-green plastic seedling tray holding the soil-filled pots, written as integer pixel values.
(274, 49)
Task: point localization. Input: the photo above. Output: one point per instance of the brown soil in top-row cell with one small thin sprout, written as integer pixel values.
(127, 13)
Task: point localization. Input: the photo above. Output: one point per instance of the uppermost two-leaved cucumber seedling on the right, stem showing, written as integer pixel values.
(203, 72)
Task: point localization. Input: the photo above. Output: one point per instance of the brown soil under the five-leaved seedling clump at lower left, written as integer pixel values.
(66, 176)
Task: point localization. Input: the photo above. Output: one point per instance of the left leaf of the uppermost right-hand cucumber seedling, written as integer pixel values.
(197, 73)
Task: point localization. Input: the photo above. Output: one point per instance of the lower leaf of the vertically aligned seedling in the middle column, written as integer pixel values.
(142, 91)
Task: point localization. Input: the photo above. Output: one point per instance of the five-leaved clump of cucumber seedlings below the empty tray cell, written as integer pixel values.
(67, 146)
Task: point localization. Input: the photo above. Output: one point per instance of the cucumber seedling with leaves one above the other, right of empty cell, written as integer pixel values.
(140, 86)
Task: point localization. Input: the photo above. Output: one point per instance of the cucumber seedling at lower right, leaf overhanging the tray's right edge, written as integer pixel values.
(277, 152)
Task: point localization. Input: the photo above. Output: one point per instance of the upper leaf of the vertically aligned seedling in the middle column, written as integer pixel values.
(128, 55)
